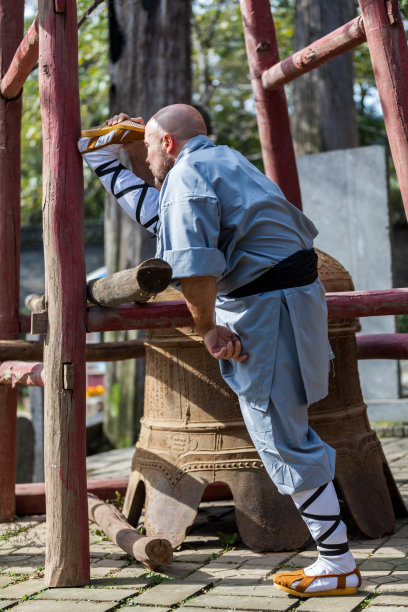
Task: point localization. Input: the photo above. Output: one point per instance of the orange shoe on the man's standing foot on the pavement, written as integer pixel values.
(285, 580)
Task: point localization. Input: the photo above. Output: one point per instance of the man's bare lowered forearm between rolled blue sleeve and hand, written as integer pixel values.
(200, 293)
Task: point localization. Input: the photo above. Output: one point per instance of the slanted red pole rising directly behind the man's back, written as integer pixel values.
(271, 107)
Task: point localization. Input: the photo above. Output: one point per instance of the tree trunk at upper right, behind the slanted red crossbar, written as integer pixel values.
(324, 115)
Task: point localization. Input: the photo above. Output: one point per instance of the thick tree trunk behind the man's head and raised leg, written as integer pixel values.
(149, 68)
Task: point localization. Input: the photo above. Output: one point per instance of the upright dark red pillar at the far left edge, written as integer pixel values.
(11, 33)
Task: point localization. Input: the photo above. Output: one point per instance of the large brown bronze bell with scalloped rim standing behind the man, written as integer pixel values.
(192, 434)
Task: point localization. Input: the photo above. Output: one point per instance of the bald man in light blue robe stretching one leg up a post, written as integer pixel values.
(244, 258)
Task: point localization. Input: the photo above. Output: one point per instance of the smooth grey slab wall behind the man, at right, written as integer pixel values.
(345, 193)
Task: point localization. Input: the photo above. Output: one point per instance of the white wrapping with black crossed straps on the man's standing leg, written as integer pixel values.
(320, 510)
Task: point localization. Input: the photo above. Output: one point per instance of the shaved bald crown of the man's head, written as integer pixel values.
(180, 120)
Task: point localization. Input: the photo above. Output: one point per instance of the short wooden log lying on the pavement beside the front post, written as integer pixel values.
(151, 552)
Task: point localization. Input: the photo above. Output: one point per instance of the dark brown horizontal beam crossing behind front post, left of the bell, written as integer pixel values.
(25, 350)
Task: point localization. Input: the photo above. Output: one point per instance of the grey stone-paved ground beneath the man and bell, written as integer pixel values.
(211, 571)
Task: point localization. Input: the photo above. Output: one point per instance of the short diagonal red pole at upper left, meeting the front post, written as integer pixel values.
(24, 60)
